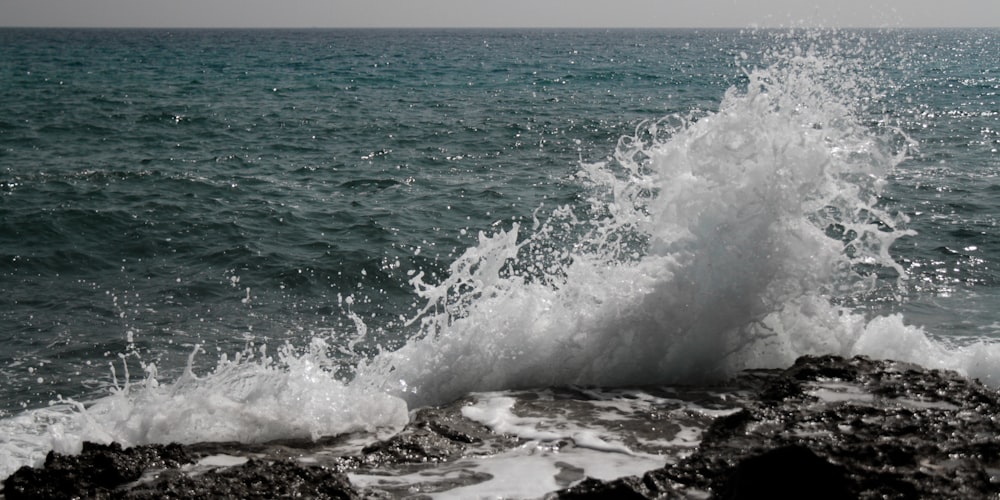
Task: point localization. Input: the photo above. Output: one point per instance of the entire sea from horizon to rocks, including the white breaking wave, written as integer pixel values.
(249, 235)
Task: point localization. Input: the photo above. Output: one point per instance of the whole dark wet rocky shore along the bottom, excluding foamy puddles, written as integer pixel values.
(827, 427)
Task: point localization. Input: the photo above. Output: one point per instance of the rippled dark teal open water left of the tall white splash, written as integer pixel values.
(151, 177)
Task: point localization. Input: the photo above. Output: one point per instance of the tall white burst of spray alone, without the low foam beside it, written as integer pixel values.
(713, 243)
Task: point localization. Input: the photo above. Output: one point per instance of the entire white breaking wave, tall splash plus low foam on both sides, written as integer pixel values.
(711, 243)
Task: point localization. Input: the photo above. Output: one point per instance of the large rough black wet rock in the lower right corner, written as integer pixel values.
(830, 427)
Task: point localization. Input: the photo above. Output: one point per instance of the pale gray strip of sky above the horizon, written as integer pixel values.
(500, 13)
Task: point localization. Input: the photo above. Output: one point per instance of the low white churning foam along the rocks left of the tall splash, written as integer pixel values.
(247, 400)
